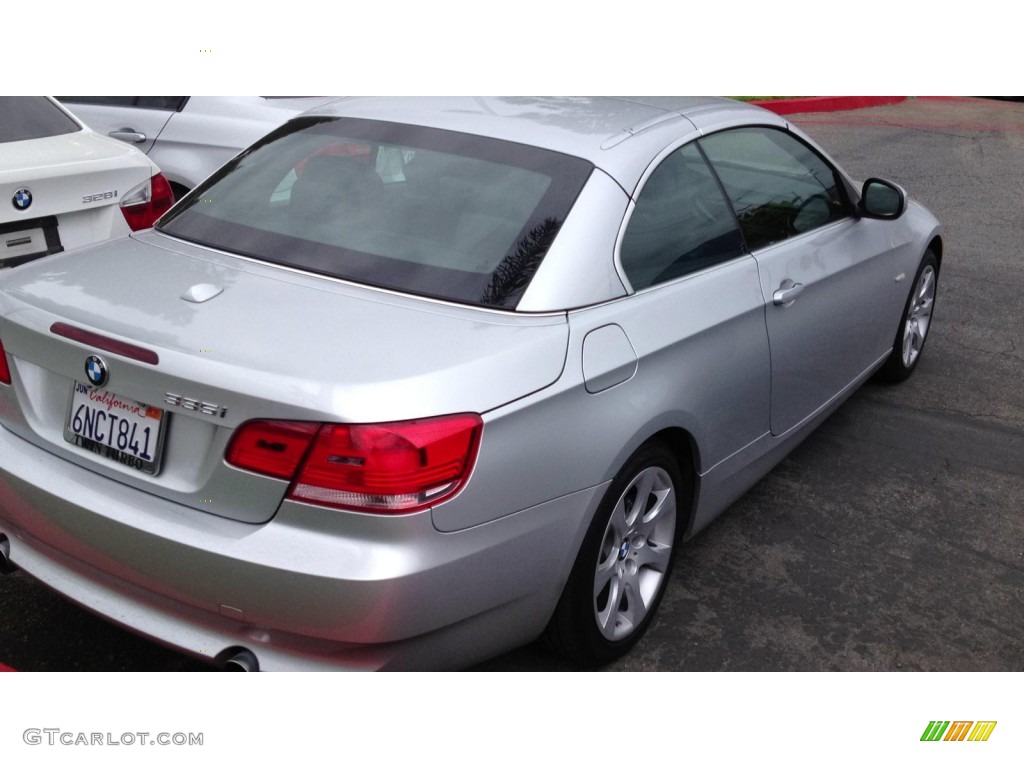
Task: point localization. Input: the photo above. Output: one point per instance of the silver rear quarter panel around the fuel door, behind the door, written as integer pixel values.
(703, 367)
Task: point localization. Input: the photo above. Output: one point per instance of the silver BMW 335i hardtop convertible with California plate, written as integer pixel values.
(409, 383)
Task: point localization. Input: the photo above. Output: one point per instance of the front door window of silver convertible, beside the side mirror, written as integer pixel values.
(778, 185)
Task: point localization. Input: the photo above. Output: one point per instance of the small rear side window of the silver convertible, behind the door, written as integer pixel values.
(681, 223)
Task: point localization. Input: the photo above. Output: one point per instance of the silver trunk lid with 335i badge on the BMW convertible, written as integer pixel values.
(274, 344)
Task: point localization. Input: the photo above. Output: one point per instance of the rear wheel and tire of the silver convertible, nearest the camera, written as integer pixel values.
(625, 562)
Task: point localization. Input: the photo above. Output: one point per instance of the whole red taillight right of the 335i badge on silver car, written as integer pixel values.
(385, 468)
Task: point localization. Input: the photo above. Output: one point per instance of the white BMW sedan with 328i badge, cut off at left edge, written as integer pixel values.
(63, 187)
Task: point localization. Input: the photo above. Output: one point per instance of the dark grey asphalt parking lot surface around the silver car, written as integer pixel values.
(892, 539)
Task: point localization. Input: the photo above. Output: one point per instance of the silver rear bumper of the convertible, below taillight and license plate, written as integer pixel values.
(311, 588)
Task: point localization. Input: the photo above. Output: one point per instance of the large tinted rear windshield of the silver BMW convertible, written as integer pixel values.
(424, 211)
